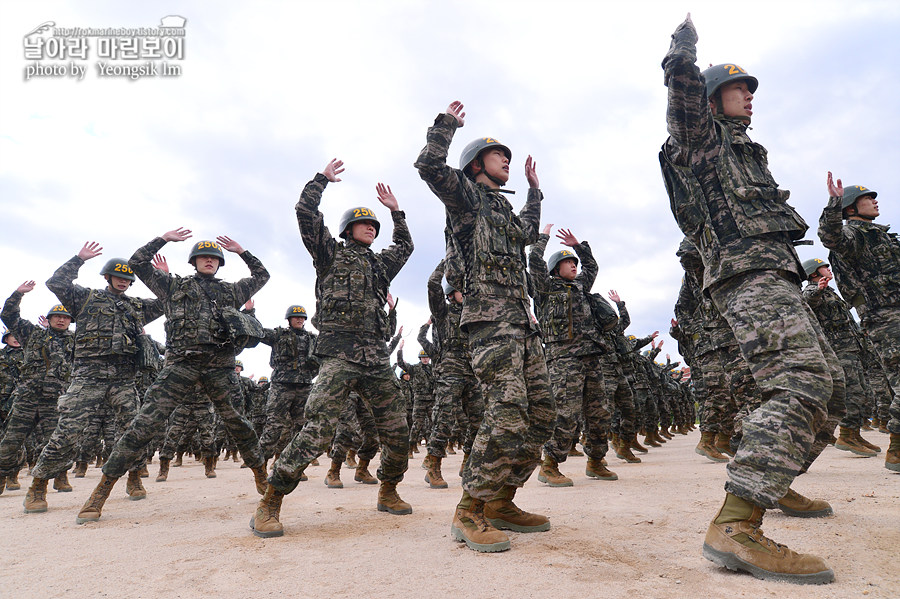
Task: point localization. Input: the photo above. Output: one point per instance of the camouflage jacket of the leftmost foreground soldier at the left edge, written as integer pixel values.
(47, 353)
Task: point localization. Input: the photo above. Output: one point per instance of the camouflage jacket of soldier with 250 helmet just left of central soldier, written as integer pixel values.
(351, 283)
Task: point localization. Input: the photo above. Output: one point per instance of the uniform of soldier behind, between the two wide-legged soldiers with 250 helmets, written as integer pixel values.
(294, 368)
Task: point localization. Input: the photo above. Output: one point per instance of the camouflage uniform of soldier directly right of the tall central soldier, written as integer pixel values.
(573, 355)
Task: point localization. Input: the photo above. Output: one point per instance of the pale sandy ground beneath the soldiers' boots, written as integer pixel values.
(638, 537)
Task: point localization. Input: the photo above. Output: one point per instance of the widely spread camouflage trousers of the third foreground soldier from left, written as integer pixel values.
(176, 381)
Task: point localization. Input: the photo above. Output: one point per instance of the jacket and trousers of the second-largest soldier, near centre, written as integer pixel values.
(507, 356)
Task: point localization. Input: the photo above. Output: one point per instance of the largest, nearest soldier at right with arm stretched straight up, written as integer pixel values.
(727, 203)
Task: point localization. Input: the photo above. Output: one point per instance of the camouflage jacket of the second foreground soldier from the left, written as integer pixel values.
(108, 323)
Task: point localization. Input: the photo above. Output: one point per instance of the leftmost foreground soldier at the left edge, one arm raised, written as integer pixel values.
(46, 369)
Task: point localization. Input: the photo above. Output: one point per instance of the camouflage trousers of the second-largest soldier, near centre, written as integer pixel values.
(519, 411)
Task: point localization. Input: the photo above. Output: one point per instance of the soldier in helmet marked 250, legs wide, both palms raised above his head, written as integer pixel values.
(351, 291)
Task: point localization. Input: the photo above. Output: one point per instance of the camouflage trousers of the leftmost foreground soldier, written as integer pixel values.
(34, 411)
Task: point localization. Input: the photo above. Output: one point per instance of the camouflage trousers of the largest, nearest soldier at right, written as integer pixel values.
(799, 377)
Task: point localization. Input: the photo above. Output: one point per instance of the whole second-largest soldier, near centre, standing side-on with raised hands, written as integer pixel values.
(507, 357)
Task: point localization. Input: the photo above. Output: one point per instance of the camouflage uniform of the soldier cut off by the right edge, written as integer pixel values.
(868, 257)
